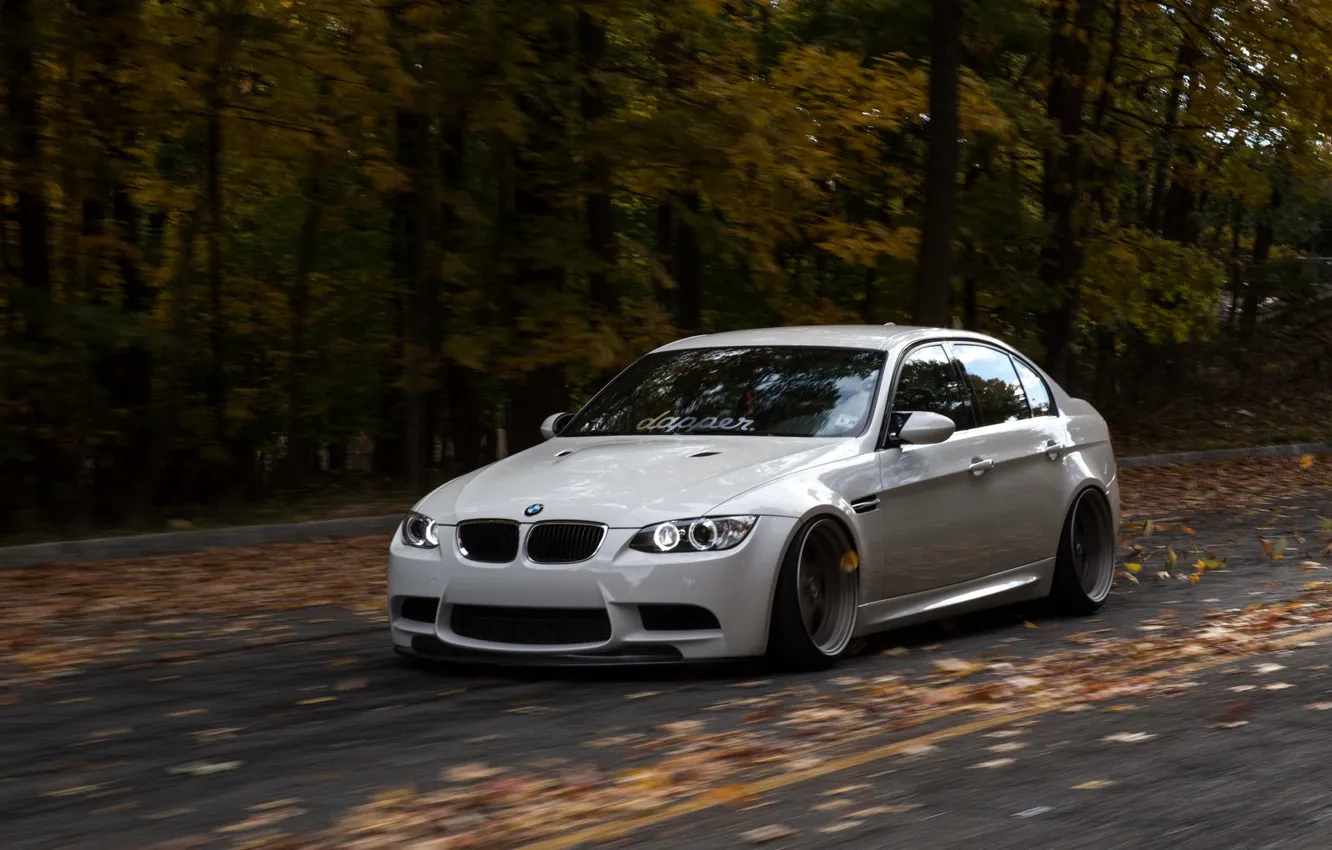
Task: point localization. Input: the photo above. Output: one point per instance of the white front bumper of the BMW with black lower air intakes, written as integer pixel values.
(736, 587)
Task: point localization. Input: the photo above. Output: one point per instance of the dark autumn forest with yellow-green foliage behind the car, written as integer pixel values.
(243, 240)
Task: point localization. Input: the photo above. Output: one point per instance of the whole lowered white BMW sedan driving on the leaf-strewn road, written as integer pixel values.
(780, 492)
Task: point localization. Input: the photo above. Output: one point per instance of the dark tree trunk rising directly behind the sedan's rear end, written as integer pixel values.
(1062, 255)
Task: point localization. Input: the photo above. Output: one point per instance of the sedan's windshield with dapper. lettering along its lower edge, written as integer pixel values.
(763, 392)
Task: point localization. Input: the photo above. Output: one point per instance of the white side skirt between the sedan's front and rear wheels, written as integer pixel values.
(1017, 586)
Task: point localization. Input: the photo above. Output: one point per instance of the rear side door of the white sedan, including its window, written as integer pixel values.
(1020, 439)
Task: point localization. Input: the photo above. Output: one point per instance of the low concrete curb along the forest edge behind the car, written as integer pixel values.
(246, 536)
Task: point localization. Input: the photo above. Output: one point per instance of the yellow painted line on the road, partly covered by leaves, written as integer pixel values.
(623, 828)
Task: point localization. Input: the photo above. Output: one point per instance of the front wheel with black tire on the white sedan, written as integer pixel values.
(791, 647)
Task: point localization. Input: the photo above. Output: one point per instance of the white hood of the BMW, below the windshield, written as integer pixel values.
(627, 482)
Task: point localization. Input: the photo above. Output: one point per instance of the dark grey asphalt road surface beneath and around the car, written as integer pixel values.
(183, 755)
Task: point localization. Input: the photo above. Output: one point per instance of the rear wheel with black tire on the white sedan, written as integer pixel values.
(1085, 568)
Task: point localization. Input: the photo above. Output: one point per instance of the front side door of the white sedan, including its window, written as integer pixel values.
(936, 514)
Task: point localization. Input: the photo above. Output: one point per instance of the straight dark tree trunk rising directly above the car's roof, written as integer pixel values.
(934, 268)
